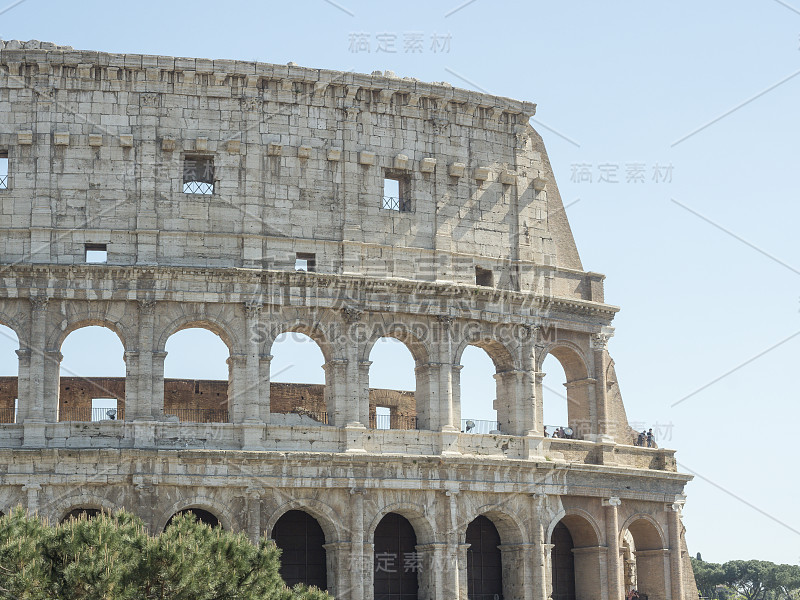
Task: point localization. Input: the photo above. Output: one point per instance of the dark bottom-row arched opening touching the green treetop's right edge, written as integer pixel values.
(303, 556)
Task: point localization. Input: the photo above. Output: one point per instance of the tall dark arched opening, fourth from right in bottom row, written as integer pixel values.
(397, 563)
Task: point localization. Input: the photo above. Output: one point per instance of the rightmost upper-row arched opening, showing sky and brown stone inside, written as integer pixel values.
(570, 409)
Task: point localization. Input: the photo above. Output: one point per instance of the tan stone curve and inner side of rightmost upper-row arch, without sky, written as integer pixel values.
(580, 396)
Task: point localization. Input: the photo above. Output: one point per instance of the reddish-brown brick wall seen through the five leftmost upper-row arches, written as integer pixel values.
(77, 393)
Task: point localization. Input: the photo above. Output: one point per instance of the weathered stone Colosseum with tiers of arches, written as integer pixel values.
(150, 194)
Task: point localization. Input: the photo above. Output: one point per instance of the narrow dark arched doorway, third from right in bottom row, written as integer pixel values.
(484, 563)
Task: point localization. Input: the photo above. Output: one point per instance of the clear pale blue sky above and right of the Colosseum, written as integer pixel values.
(703, 260)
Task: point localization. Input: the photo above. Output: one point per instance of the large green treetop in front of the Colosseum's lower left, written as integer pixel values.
(113, 557)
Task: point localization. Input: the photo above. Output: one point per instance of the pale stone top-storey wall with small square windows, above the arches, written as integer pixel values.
(101, 145)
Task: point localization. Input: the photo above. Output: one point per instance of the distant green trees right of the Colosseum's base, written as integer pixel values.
(747, 580)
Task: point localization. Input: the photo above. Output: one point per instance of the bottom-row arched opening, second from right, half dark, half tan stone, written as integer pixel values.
(575, 563)
